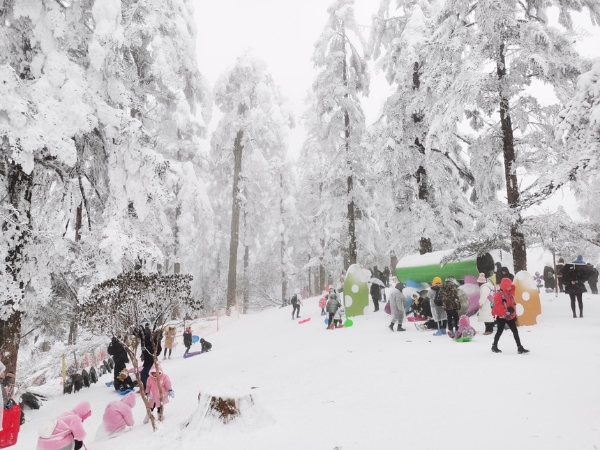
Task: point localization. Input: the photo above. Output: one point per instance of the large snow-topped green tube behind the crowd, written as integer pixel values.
(423, 268)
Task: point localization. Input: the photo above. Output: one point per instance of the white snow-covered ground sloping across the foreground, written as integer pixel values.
(364, 387)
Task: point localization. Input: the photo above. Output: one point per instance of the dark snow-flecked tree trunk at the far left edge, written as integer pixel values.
(19, 196)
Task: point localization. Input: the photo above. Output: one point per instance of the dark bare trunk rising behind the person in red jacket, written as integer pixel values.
(519, 249)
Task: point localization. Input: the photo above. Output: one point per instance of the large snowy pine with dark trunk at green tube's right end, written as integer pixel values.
(484, 57)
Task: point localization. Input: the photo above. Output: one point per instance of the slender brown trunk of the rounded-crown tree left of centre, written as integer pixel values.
(235, 221)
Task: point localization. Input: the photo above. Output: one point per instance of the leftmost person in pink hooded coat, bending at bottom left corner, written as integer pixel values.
(68, 432)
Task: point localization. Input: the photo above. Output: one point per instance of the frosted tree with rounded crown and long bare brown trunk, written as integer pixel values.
(253, 127)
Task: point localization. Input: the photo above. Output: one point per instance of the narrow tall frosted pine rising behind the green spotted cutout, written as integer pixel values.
(336, 122)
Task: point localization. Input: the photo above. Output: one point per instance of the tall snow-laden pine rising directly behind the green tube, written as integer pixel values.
(426, 186)
